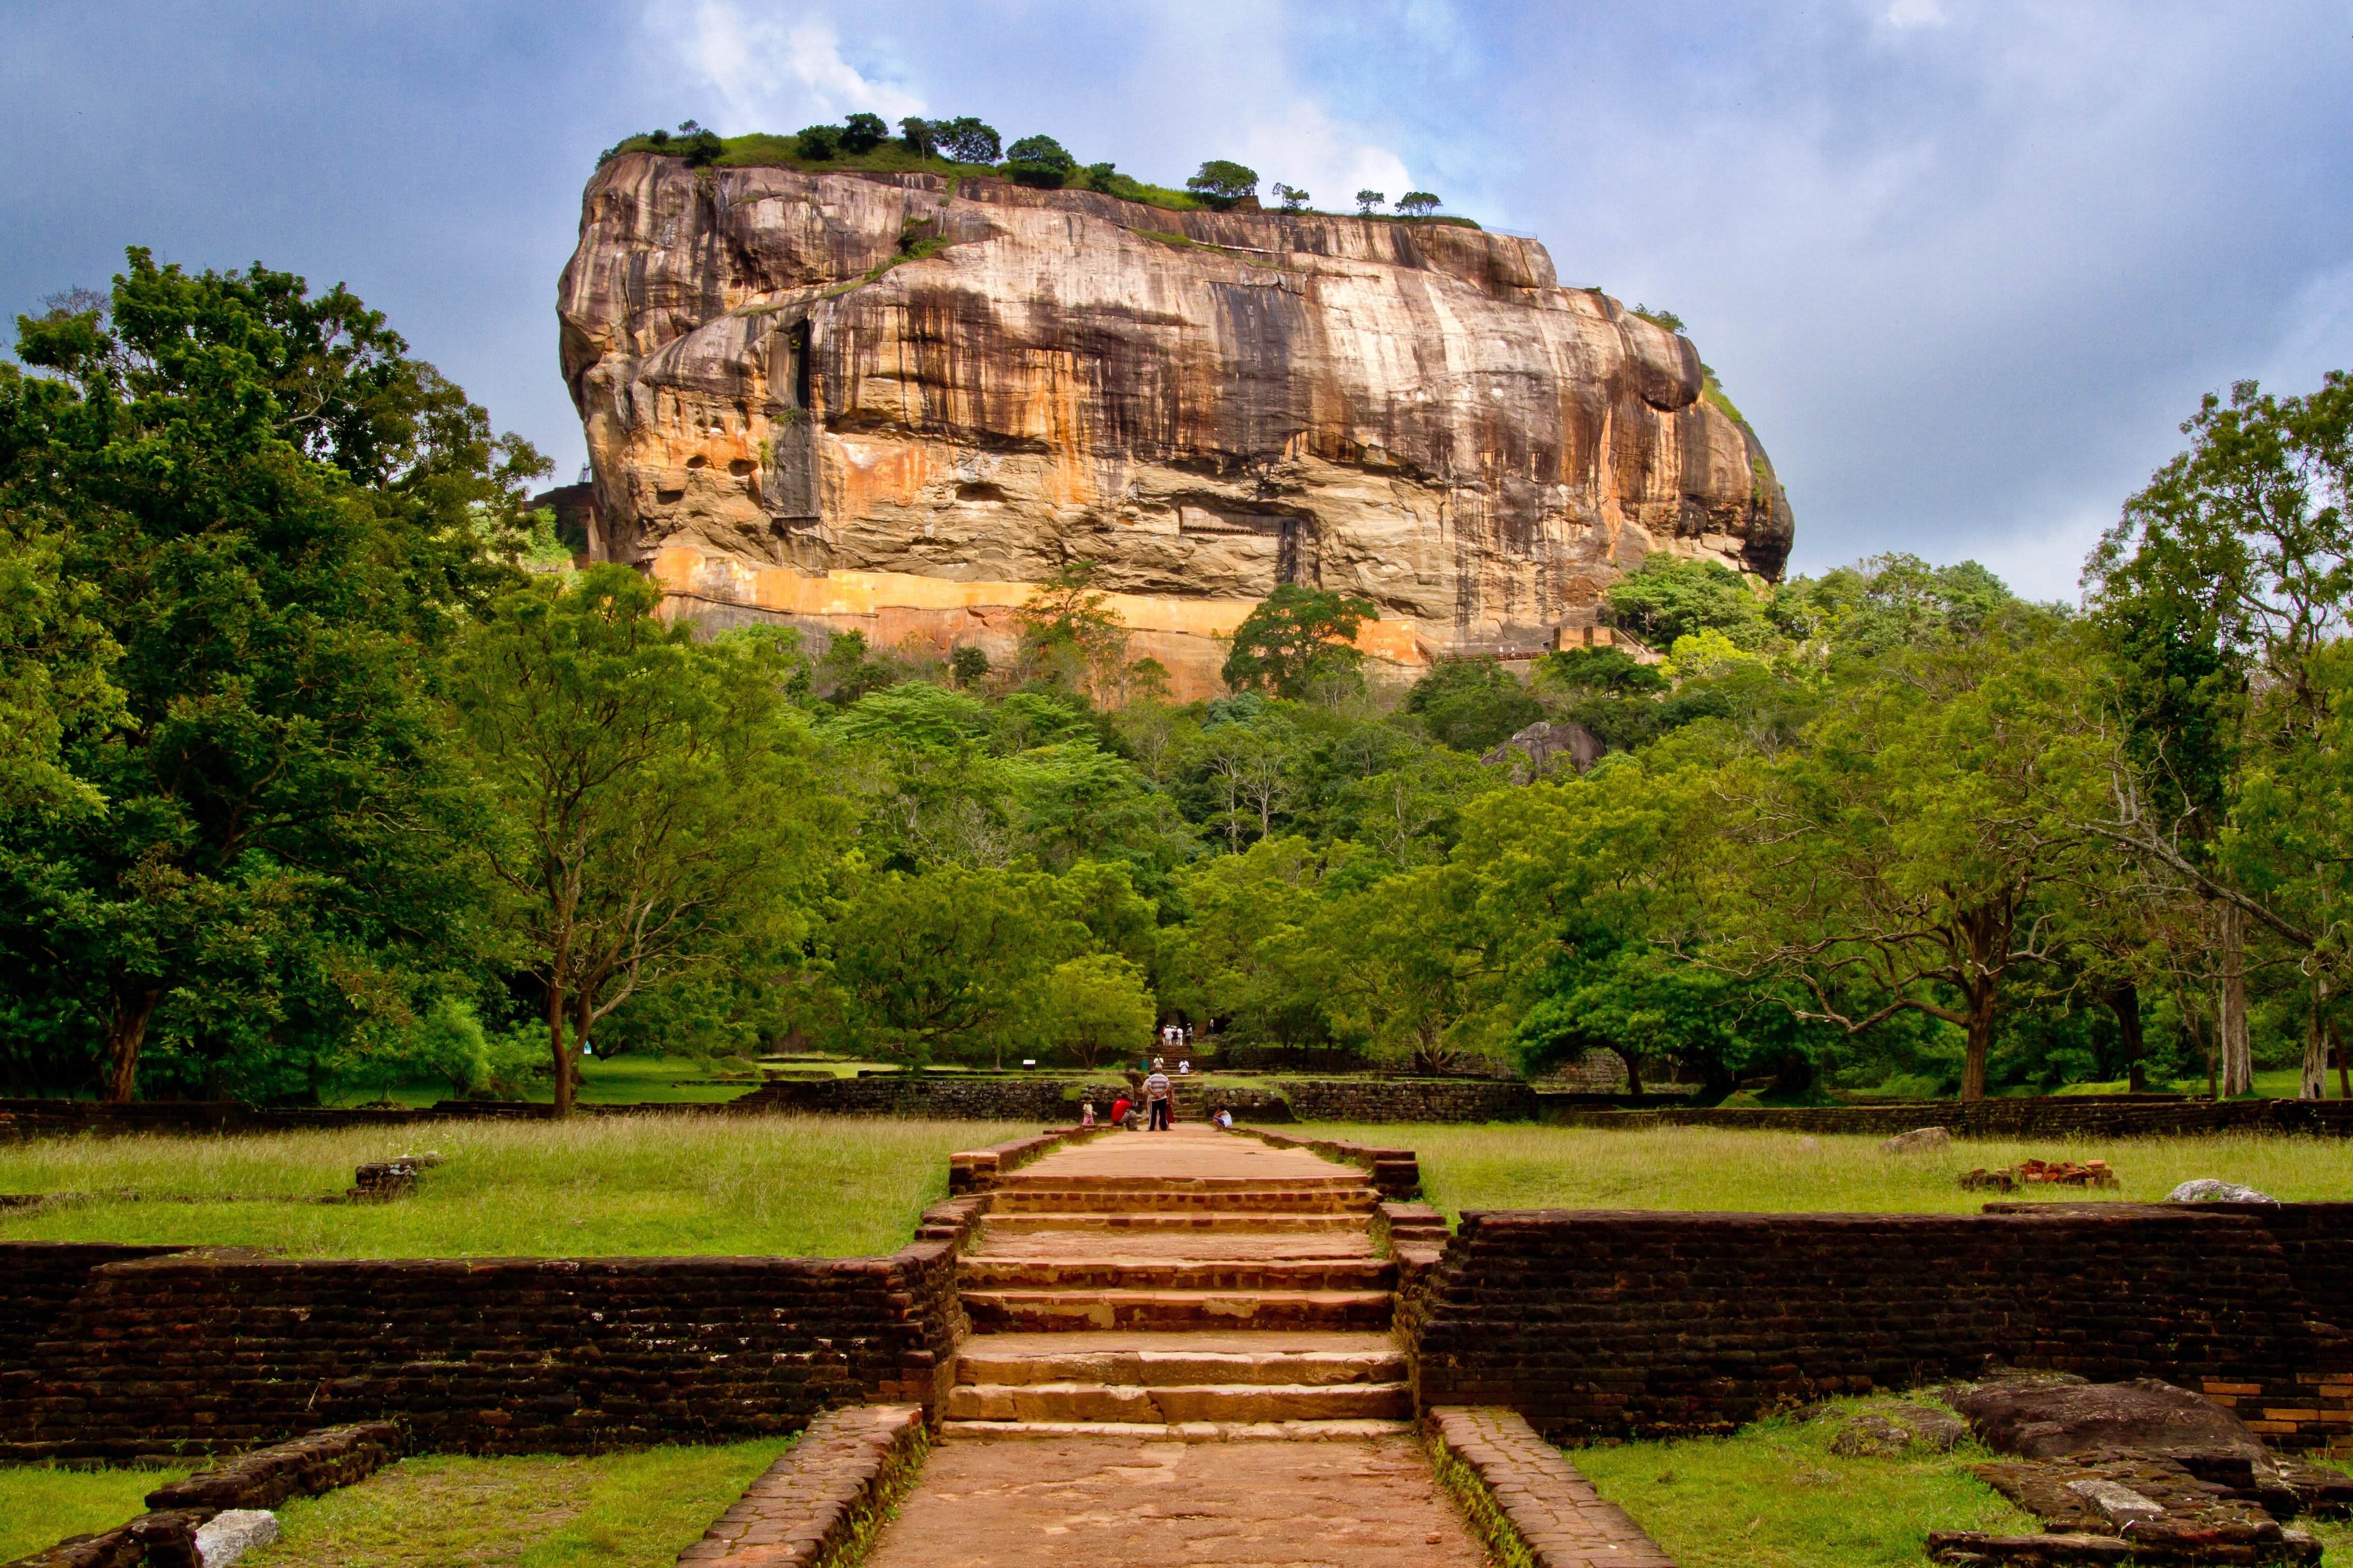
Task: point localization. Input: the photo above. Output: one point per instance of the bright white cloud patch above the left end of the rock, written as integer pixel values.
(775, 76)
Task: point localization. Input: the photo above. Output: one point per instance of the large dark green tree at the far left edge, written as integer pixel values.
(272, 514)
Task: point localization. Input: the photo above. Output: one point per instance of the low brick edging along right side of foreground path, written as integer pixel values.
(1528, 1501)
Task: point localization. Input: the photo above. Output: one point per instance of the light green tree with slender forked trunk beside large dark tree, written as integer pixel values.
(655, 796)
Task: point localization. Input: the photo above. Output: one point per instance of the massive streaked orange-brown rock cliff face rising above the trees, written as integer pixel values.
(869, 401)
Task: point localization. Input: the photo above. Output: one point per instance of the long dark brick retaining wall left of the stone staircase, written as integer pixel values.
(493, 1355)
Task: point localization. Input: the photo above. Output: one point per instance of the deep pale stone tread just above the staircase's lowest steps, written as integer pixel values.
(1156, 1362)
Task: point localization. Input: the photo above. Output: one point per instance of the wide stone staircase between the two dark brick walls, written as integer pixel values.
(1180, 1285)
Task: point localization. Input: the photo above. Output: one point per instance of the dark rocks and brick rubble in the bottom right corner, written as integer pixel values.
(2138, 1473)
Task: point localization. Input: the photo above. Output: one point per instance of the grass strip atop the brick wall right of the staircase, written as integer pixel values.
(1698, 1167)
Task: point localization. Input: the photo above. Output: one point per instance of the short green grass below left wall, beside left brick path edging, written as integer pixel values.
(620, 1510)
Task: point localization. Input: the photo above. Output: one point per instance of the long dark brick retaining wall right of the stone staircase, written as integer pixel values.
(1625, 1325)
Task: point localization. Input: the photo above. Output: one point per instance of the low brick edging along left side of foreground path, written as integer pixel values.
(822, 1501)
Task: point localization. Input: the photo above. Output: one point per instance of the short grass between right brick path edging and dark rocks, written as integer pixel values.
(1775, 1496)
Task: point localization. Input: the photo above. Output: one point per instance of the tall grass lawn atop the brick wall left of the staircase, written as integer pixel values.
(641, 1186)
